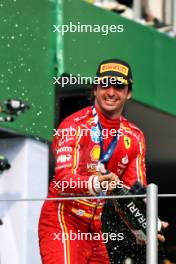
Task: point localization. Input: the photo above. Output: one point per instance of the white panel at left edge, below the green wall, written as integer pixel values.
(27, 179)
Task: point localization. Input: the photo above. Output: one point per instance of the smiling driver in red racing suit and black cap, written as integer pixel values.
(70, 230)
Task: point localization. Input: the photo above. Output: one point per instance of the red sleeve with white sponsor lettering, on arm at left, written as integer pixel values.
(66, 147)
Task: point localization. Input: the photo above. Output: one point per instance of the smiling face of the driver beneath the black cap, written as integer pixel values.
(110, 100)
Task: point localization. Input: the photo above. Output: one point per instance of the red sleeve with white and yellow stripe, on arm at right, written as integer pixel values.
(136, 169)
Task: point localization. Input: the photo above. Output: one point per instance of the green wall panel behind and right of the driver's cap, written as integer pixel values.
(151, 54)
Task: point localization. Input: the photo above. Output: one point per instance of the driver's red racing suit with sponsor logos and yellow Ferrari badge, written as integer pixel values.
(77, 152)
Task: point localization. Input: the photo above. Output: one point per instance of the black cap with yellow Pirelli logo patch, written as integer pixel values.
(117, 68)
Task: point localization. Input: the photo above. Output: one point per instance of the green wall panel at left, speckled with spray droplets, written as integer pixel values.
(27, 54)
